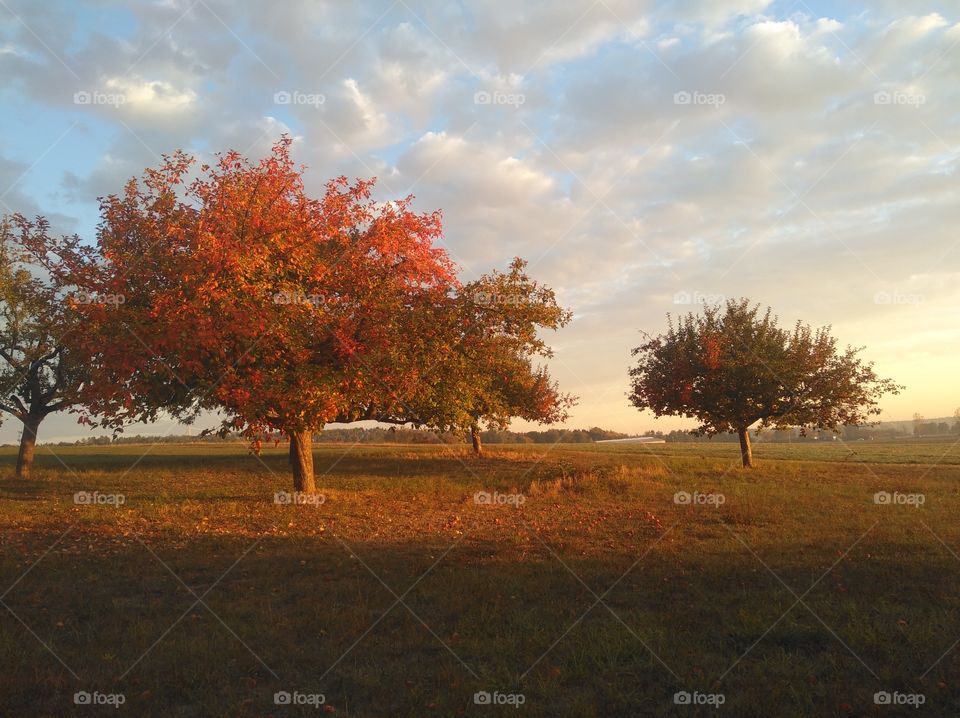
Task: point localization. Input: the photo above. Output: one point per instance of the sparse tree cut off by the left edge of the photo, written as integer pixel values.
(39, 375)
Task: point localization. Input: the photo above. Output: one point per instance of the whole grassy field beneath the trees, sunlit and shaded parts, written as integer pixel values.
(589, 591)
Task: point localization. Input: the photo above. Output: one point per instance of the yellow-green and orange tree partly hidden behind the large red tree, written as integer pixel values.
(486, 368)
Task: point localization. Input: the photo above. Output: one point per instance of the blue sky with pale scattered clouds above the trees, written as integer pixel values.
(645, 157)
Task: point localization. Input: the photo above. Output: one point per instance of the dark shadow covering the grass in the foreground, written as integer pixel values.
(311, 615)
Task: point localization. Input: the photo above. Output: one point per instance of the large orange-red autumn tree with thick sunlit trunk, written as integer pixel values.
(244, 295)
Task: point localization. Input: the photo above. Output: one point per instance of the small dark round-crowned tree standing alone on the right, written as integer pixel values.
(732, 367)
